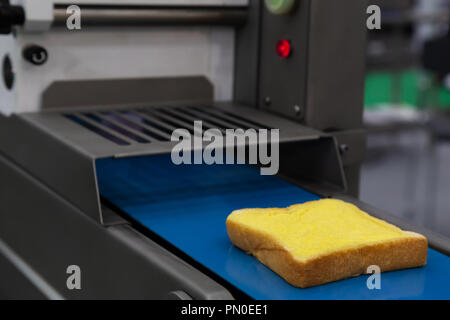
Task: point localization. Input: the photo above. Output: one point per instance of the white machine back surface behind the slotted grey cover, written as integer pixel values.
(114, 53)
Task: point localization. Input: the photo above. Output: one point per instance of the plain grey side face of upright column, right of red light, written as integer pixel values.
(336, 65)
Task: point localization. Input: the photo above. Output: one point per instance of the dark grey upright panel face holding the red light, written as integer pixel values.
(283, 81)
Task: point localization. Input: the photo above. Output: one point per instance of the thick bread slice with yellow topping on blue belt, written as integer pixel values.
(323, 241)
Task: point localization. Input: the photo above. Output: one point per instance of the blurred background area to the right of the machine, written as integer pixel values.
(407, 113)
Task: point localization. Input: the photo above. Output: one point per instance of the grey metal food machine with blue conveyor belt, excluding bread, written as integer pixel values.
(85, 126)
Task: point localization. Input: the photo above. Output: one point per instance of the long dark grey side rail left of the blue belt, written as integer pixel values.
(116, 263)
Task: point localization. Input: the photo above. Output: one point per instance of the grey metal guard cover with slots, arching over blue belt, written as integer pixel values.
(60, 147)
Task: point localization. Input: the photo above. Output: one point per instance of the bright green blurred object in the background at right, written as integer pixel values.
(408, 88)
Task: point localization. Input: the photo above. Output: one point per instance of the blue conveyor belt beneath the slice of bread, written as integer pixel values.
(188, 206)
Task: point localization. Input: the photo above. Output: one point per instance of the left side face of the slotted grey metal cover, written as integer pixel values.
(52, 161)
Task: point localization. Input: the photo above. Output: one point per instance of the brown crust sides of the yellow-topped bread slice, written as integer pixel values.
(391, 255)
